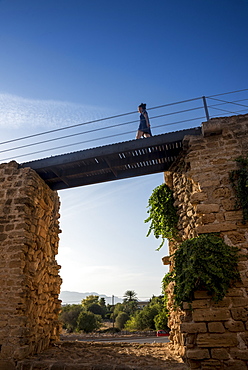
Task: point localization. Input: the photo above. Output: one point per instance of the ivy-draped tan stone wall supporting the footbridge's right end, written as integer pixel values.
(212, 335)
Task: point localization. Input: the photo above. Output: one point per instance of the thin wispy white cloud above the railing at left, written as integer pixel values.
(16, 111)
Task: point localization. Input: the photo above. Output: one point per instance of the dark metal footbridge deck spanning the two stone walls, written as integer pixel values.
(111, 162)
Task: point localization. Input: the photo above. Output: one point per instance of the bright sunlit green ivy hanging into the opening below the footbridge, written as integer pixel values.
(162, 214)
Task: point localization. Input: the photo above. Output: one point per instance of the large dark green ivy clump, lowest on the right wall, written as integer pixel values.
(204, 262)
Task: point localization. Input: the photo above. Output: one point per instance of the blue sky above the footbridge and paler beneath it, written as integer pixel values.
(68, 62)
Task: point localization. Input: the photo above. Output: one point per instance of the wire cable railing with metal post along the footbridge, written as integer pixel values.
(94, 131)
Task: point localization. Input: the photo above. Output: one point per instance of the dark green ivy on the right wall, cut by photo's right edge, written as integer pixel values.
(239, 179)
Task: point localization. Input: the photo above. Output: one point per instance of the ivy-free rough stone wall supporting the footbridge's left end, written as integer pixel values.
(29, 279)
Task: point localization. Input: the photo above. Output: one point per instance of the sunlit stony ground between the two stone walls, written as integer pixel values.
(71, 355)
